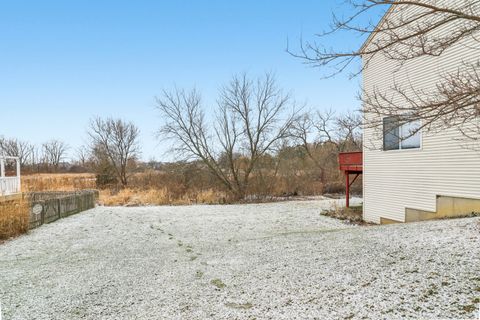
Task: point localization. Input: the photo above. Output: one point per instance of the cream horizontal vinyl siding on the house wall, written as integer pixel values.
(445, 164)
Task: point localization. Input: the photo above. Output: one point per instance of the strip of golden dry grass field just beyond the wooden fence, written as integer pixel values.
(58, 182)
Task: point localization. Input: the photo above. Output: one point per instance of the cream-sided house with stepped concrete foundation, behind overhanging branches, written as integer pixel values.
(423, 176)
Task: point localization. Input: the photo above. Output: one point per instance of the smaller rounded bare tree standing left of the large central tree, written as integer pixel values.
(118, 141)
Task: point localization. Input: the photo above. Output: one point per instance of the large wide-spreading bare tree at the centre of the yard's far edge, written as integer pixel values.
(251, 119)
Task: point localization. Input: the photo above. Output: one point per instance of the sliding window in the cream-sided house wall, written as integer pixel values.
(399, 136)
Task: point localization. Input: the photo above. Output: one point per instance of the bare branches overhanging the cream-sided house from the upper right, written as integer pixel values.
(410, 30)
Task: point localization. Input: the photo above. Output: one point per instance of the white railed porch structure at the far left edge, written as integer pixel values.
(9, 176)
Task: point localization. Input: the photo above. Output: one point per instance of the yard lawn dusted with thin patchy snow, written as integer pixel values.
(259, 261)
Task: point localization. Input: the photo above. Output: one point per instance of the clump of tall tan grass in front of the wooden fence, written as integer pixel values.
(14, 218)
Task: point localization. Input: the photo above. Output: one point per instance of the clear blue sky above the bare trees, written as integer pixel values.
(64, 62)
